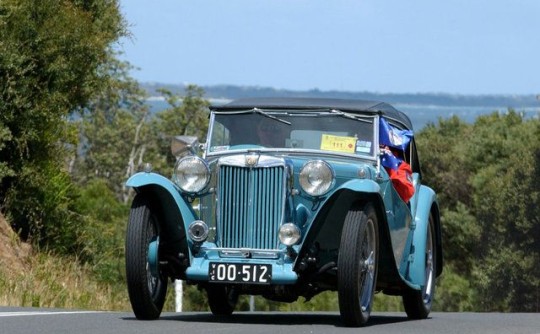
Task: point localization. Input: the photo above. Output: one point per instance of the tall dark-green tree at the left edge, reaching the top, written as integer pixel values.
(50, 55)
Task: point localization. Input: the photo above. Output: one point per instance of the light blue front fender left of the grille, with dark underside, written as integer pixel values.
(174, 211)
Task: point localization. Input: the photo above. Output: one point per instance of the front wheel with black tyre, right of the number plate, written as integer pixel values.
(357, 265)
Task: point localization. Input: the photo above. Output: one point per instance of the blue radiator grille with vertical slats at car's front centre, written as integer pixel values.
(251, 202)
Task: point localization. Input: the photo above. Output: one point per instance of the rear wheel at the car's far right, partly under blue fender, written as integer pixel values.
(418, 303)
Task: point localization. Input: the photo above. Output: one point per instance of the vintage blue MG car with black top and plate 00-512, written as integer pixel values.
(287, 198)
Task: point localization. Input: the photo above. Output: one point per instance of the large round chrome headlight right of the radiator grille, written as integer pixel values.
(316, 177)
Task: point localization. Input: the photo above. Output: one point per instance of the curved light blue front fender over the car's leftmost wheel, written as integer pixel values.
(159, 186)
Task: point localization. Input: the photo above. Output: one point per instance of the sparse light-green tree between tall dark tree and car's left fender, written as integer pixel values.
(114, 132)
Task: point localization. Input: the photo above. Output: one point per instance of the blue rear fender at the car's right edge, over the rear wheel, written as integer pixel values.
(426, 199)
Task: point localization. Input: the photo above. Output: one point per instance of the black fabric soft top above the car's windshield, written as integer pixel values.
(351, 106)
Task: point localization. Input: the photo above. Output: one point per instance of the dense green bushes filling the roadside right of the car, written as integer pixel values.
(486, 175)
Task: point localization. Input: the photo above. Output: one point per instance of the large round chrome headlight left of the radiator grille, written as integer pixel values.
(191, 174)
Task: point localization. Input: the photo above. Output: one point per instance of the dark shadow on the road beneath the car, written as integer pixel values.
(279, 318)
